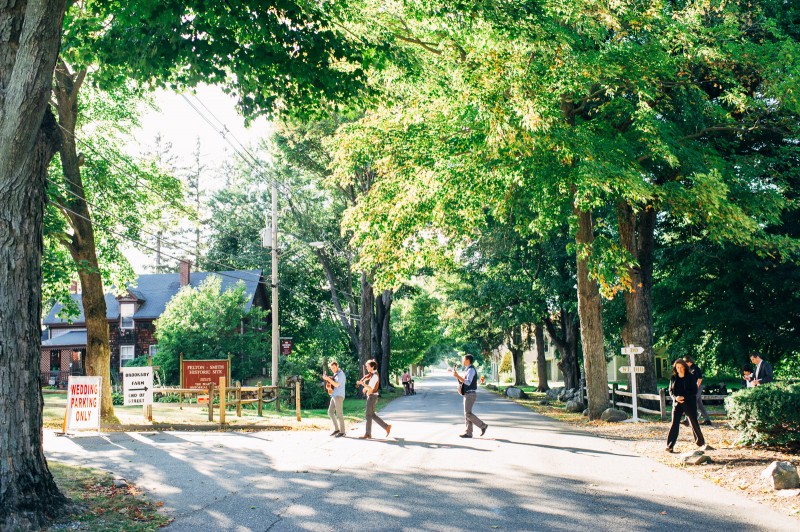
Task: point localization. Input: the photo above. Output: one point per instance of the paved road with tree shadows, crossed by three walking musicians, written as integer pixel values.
(526, 473)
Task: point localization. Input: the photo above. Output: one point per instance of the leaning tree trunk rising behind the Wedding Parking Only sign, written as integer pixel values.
(81, 243)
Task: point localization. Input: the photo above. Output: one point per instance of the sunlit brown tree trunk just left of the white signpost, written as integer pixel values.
(590, 311)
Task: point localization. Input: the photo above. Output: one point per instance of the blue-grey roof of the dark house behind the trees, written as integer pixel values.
(156, 289)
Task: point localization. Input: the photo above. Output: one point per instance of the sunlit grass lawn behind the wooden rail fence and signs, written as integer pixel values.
(188, 416)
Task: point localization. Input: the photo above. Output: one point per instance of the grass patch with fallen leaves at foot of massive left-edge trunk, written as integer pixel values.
(104, 506)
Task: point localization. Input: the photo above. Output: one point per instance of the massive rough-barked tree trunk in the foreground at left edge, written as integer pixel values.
(29, 137)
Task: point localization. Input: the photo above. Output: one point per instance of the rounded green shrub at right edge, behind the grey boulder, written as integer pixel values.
(766, 415)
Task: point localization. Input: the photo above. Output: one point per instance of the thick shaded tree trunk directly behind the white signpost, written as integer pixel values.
(637, 234)
